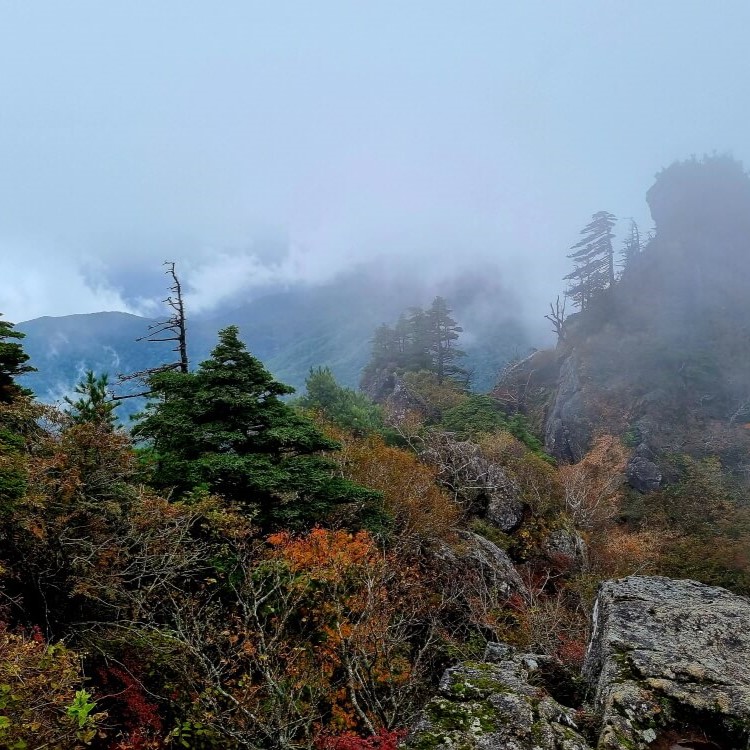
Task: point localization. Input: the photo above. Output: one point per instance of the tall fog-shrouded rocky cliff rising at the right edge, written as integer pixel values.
(662, 359)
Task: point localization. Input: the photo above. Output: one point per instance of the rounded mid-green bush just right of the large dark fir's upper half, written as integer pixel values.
(343, 406)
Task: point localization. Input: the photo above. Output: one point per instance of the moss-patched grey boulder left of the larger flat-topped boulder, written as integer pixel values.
(492, 704)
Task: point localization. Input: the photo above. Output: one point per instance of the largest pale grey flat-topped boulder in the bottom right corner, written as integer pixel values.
(670, 659)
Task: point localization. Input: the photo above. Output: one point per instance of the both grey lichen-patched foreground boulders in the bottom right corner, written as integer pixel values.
(668, 666)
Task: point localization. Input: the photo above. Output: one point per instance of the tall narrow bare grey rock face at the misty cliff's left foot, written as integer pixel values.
(568, 431)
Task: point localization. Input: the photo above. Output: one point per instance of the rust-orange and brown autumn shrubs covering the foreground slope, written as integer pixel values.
(140, 615)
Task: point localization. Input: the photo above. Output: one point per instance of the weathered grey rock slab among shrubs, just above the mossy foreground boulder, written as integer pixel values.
(477, 556)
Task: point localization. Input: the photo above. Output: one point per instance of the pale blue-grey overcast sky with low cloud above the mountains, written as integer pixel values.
(257, 142)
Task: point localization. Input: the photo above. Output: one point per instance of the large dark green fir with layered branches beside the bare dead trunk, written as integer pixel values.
(225, 428)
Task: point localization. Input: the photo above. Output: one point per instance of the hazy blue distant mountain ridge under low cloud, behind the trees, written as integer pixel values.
(290, 331)
